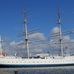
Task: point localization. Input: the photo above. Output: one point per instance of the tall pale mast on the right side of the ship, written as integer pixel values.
(60, 32)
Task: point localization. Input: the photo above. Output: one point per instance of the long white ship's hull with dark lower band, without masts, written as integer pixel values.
(13, 62)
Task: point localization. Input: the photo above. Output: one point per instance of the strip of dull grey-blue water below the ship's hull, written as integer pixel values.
(42, 71)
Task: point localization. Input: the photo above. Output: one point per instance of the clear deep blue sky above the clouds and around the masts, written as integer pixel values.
(42, 15)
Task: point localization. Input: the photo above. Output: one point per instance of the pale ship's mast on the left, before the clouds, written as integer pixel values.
(26, 36)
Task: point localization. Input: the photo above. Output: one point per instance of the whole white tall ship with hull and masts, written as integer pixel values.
(35, 62)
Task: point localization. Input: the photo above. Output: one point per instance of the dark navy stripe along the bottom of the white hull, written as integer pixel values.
(31, 66)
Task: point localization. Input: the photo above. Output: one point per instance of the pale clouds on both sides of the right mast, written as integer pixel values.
(67, 42)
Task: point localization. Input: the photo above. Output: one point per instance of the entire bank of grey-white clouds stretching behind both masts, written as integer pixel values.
(54, 43)
